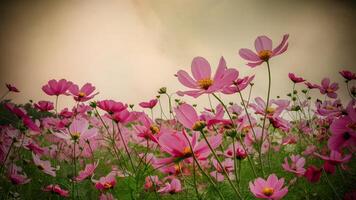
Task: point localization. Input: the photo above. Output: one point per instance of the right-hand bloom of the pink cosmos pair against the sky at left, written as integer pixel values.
(84, 93)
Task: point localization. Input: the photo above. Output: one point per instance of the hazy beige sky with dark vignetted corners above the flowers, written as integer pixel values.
(129, 49)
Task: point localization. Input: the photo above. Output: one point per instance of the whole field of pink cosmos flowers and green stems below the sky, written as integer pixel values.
(292, 146)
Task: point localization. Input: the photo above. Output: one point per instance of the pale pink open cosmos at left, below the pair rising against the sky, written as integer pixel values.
(77, 131)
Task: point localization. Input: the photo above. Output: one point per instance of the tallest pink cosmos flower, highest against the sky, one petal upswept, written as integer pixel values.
(264, 51)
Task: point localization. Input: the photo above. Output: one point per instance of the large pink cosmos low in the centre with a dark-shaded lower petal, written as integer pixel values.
(178, 147)
